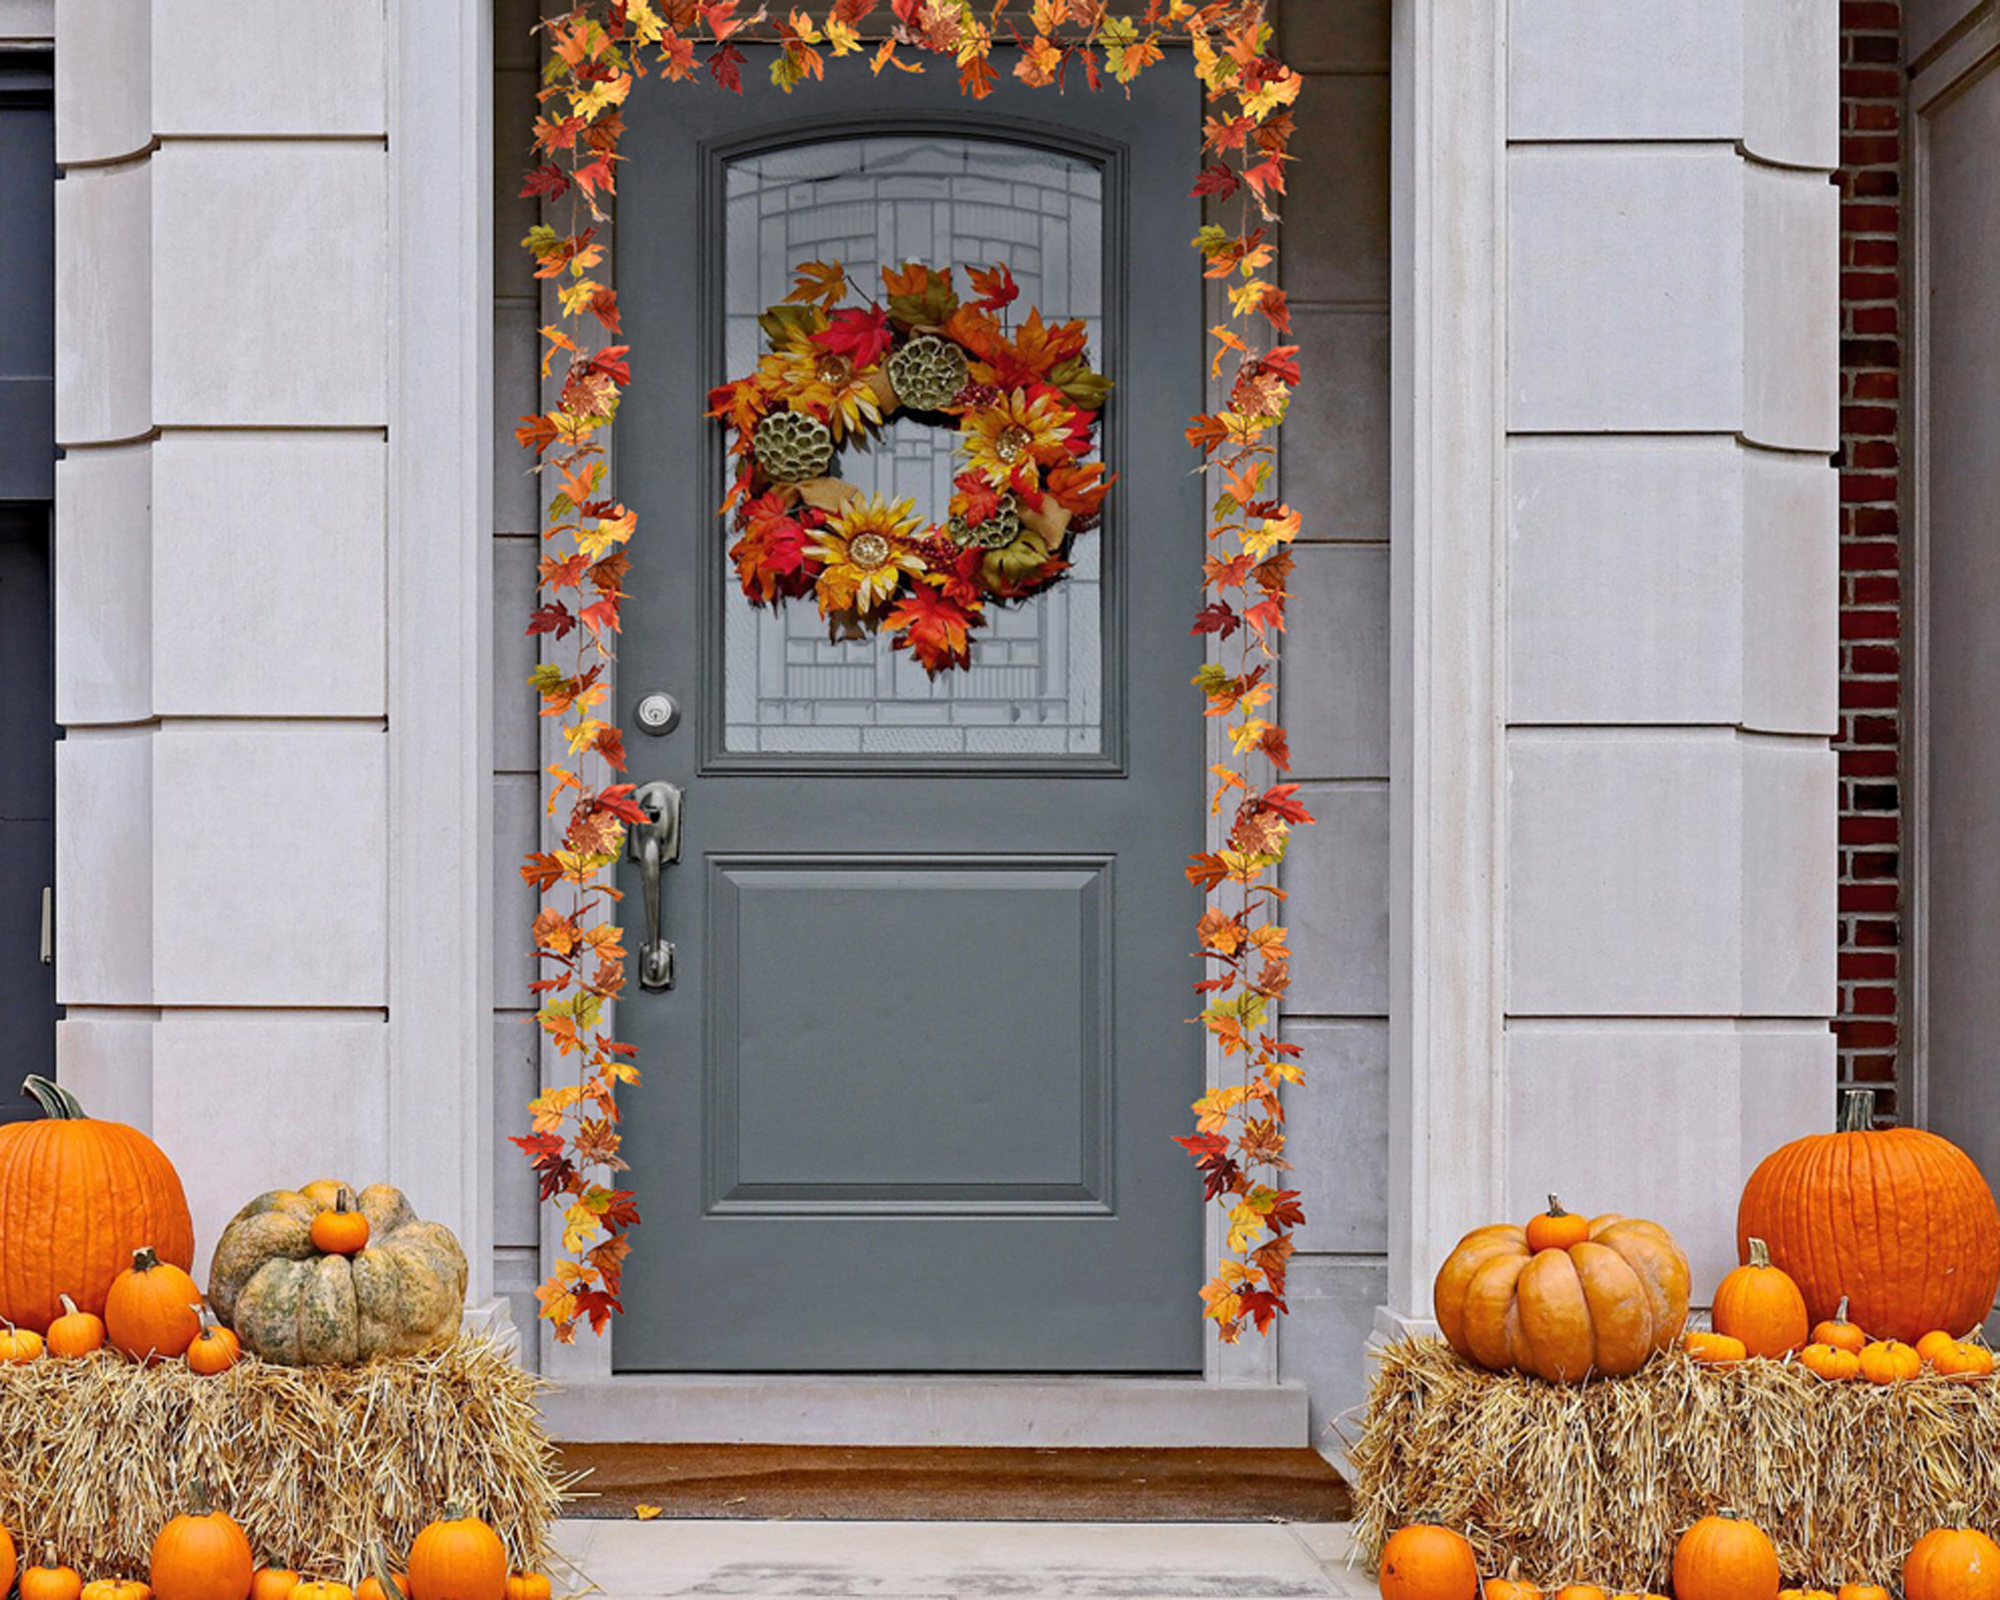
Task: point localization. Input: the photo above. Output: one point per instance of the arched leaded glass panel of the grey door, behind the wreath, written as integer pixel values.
(1037, 683)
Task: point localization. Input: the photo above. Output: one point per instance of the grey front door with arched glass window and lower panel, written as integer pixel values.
(911, 1101)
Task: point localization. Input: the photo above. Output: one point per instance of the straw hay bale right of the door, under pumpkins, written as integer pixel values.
(1593, 1483)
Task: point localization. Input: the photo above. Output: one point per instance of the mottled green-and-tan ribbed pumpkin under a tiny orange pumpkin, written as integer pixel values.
(293, 1305)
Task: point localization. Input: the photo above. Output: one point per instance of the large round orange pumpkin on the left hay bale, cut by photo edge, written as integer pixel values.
(77, 1199)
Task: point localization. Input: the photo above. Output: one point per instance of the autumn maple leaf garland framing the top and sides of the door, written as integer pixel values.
(599, 51)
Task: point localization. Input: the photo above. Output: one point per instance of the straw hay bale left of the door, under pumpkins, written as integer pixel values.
(315, 1463)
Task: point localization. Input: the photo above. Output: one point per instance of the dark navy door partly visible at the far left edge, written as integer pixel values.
(27, 647)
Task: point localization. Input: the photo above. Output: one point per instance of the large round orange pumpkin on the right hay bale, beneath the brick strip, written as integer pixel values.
(1897, 1219)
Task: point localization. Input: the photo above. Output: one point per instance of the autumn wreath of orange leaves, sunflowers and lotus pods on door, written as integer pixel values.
(1023, 401)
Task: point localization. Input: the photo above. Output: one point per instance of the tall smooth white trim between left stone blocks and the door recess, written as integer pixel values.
(441, 1125)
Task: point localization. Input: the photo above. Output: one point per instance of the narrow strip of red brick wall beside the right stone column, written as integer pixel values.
(1871, 545)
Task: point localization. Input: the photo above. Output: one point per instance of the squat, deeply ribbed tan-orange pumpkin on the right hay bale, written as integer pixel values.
(1601, 1307)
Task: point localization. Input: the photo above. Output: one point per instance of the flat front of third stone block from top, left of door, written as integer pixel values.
(269, 575)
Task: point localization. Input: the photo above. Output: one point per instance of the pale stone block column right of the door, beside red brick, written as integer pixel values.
(1617, 605)
